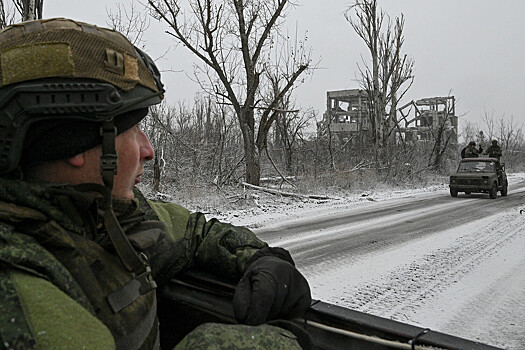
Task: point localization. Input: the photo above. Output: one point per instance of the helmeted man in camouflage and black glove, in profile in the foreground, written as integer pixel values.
(81, 251)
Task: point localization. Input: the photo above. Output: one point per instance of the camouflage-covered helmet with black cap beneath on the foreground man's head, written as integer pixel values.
(59, 75)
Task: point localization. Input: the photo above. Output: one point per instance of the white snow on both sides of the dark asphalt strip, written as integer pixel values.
(466, 281)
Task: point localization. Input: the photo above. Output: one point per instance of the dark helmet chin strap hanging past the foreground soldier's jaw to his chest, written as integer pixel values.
(129, 257)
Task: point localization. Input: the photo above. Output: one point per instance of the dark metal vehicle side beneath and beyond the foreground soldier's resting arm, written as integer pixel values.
(196, 298)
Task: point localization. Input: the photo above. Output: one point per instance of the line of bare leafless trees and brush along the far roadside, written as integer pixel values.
(244, 124)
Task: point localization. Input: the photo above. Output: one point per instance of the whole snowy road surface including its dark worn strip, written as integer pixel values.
(465, 279)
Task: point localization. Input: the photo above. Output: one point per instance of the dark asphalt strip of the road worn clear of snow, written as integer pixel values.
(375, 225)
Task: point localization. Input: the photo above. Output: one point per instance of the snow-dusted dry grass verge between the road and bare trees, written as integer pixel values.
(208, 198)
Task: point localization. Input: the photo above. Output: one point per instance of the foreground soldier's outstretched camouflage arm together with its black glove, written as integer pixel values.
(268, 274)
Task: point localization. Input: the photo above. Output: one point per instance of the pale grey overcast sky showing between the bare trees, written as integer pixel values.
(472, 49)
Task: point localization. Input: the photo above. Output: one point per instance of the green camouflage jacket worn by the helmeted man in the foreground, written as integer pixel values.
(57, 265)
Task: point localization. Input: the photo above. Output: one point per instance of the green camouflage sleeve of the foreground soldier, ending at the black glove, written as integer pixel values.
(210, 245)
